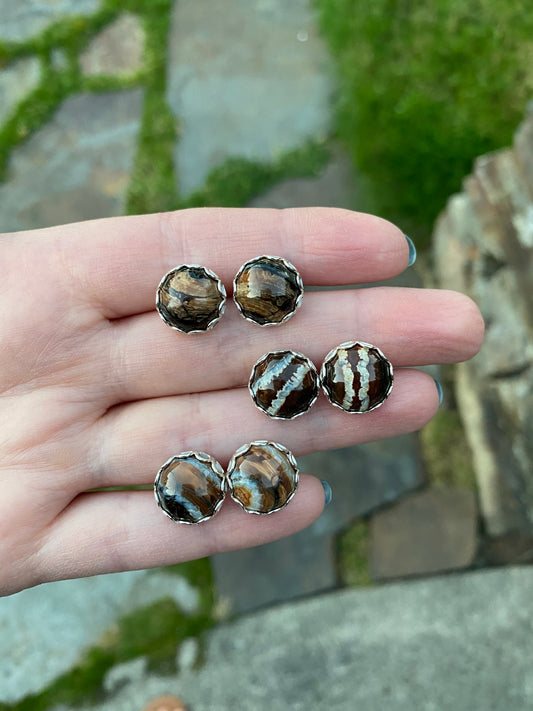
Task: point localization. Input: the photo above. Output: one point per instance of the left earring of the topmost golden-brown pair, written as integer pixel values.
(191, 298)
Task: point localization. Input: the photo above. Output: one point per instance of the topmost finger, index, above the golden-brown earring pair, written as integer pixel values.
(117, 263)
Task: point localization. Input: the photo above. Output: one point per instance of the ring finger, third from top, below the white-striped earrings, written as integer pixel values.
(133, 441)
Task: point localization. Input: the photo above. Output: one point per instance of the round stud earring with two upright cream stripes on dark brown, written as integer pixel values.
(356, 377)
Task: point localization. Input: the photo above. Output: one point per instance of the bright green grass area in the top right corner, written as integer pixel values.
(424, 89)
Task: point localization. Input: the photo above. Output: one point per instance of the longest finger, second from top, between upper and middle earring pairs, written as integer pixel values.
(411, 326)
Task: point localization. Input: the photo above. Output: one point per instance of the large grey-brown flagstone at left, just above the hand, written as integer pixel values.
(77, 167)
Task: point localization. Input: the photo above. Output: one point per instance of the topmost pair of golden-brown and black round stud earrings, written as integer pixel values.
(267, 291)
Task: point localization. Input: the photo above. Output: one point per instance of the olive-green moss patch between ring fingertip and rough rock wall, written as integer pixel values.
(446, 453)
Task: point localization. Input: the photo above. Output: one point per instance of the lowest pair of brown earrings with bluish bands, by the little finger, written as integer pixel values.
(262, 477)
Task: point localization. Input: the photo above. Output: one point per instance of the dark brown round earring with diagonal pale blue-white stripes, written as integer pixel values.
(284, 384)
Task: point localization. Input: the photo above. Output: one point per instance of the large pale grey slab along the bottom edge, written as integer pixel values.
(458, 643)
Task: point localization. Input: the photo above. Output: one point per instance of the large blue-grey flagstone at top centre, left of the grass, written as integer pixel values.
(246, 78)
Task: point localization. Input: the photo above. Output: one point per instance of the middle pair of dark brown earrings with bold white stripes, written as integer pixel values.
(355, 376)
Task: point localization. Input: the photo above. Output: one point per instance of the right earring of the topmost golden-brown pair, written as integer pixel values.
(267, 290)
